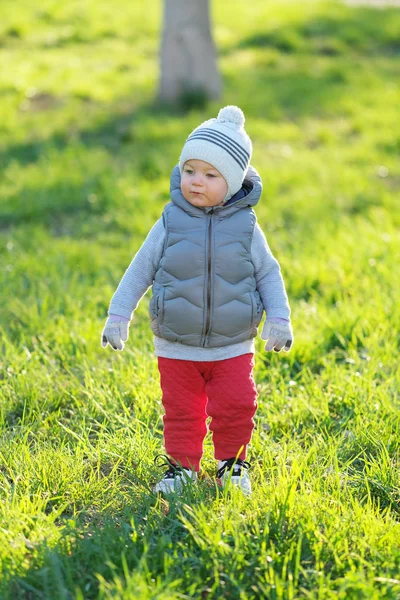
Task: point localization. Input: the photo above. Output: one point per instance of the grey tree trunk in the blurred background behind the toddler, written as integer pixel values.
(188, 62)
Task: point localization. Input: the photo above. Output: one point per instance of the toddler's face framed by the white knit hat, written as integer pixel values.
(202, 184)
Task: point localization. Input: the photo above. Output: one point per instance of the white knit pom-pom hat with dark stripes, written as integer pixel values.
(224, 144)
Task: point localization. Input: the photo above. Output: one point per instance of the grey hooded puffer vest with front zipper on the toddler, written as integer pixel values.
(204, 291)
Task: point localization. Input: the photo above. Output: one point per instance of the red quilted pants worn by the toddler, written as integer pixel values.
(192, 391)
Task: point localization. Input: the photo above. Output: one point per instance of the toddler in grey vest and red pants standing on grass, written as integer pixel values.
(212, 275)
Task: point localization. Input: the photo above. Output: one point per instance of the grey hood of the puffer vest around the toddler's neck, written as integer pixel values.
(248, 195)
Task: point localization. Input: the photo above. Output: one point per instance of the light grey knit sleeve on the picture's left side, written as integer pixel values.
(139, 276)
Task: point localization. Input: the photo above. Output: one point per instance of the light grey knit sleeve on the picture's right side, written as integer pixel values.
(268, 277)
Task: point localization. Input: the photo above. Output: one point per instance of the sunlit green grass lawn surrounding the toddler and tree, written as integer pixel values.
(85, 163)
